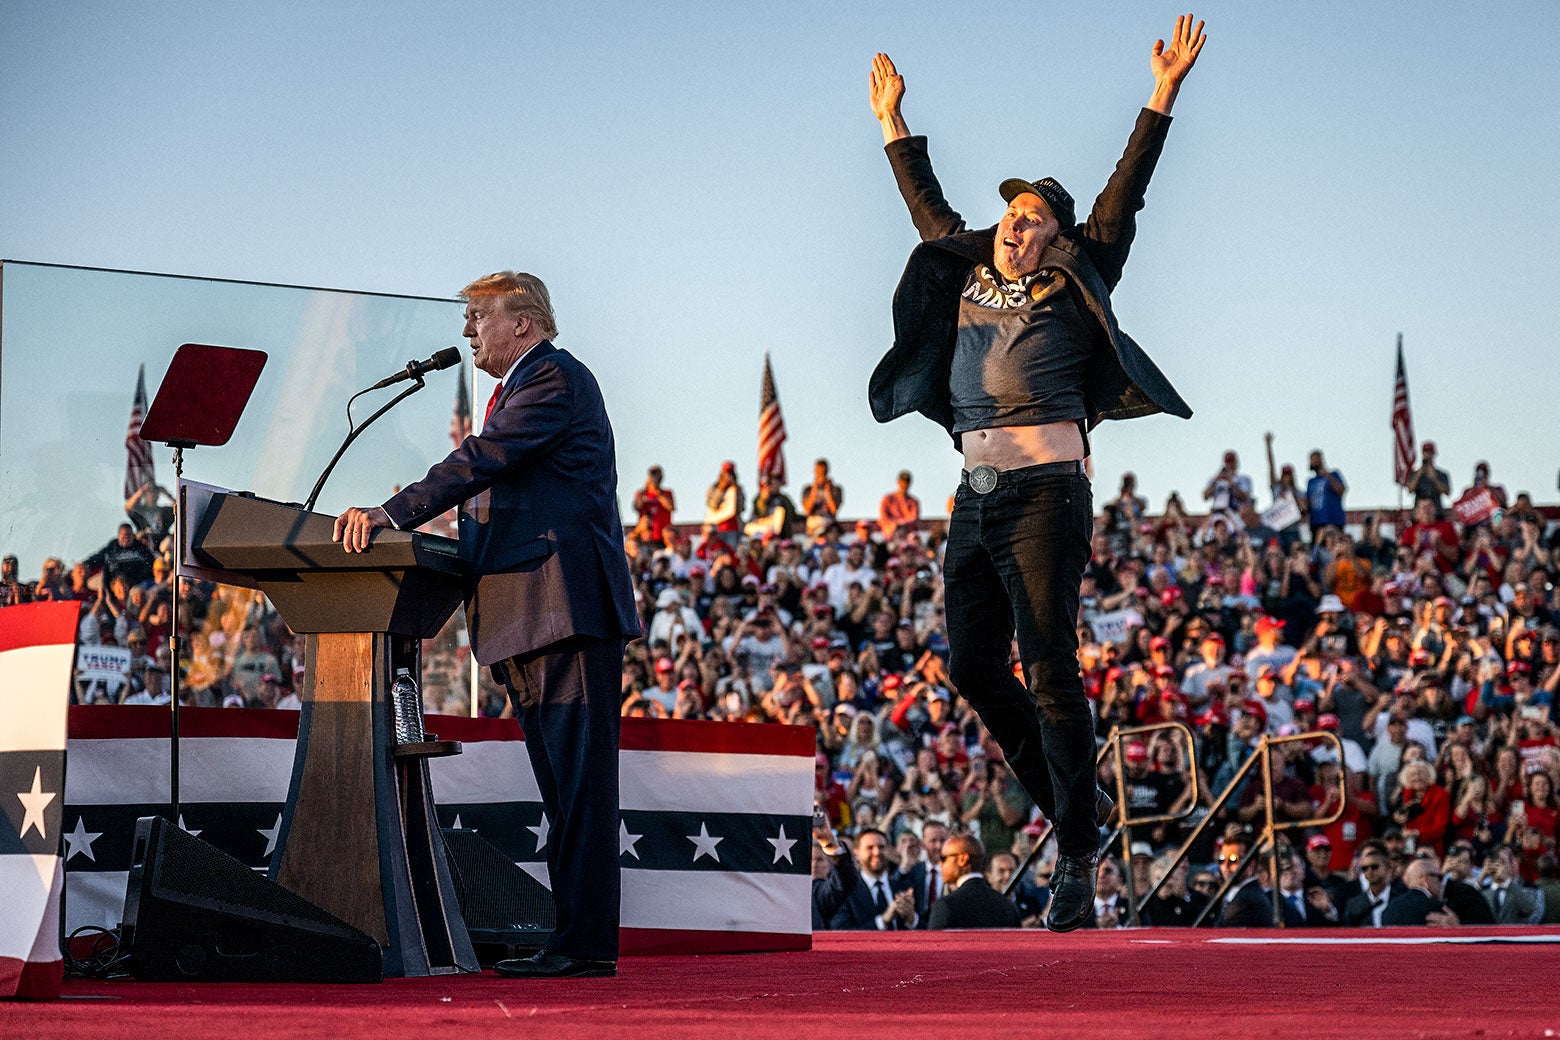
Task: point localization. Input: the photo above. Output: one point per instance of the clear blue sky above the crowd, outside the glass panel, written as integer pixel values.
(704, 183)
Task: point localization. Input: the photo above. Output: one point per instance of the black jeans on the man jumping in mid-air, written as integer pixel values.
(1013, 565)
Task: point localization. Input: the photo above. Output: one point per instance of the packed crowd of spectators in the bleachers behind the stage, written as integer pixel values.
(1427, 645)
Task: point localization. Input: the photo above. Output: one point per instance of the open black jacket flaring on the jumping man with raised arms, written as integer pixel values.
(913, 377)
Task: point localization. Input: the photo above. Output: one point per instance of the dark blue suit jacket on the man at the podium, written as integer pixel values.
(539, 514)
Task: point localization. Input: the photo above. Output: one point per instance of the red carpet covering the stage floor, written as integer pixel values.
(1144, 985)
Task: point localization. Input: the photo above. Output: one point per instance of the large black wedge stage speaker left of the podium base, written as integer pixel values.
(194, 913)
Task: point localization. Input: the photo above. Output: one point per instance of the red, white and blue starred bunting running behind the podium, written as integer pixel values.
(714, 843)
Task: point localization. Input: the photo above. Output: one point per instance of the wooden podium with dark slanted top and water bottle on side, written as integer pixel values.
(358, 837)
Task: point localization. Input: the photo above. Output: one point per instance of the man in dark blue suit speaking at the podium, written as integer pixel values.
(550, 603)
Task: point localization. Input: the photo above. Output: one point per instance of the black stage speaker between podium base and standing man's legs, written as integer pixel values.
(502, 904)
